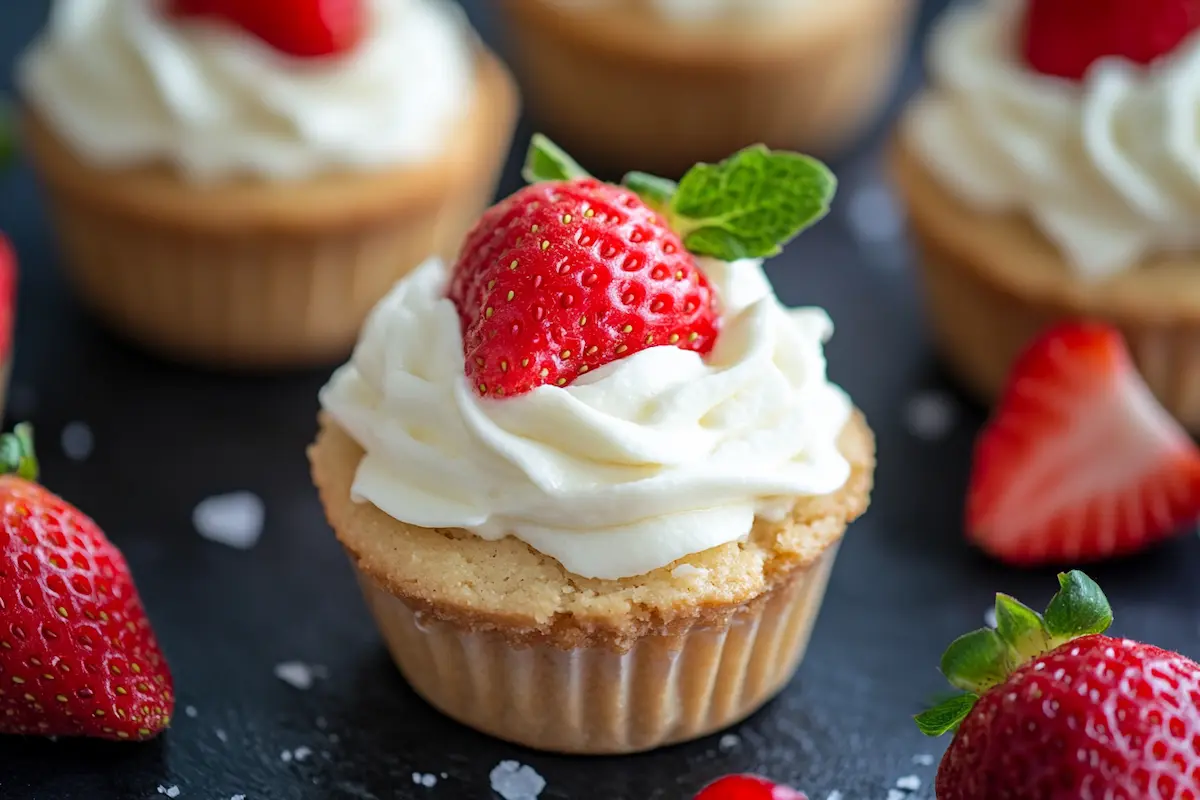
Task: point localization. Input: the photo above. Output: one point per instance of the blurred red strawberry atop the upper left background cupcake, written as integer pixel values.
(299, 28)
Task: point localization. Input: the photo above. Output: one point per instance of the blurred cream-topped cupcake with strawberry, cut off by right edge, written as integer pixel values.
(1053, 171)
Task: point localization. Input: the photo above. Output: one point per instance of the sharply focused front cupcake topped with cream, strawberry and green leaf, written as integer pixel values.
(593, 478)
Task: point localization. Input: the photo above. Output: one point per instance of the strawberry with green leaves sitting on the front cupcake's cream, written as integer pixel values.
(572, 274)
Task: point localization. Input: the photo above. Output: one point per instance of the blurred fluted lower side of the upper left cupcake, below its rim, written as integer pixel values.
(250, 300)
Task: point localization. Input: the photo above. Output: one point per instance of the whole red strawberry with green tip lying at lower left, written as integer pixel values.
(77, 654)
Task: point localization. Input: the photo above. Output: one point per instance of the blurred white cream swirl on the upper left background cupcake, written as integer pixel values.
(127, 86)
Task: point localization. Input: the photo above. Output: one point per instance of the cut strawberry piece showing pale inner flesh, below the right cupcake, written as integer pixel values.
(1079, 461)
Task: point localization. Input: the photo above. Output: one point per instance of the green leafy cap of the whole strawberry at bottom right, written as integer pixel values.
(983, 659)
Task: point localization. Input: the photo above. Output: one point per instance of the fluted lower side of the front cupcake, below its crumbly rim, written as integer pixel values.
(665, 689)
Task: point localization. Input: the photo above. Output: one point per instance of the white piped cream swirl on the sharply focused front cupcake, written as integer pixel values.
(634, 466)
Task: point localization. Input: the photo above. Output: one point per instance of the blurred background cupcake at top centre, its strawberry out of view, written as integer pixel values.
(706, 76)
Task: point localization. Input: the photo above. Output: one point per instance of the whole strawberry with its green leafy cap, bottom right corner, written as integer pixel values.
(1057, 712)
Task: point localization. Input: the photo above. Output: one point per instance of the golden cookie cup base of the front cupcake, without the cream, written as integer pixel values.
(506, 641)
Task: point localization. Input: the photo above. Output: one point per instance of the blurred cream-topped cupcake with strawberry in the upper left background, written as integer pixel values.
(238, 187)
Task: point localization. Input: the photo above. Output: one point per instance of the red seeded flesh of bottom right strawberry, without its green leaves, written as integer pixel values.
(1099, 719)
